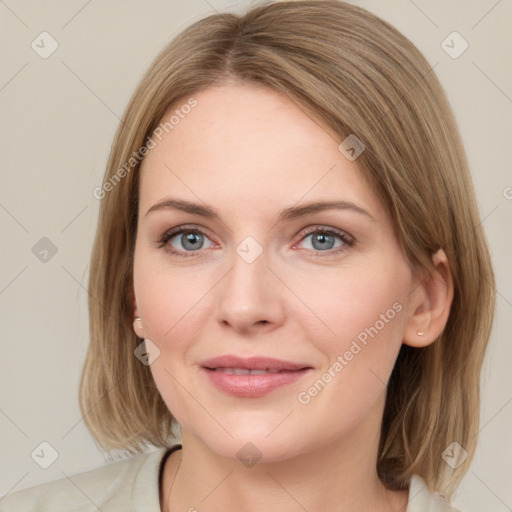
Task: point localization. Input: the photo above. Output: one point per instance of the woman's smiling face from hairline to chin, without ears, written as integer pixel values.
(257, 238)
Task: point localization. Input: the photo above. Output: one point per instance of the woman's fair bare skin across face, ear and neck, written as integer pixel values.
(249, 153)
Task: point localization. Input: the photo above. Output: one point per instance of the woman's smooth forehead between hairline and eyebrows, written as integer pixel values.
(242, 147)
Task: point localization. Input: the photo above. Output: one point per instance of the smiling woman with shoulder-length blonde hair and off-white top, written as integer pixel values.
(289, 266)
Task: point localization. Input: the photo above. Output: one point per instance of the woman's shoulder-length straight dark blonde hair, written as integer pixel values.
(360, 76)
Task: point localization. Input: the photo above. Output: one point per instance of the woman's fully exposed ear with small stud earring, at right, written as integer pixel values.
(431, 301)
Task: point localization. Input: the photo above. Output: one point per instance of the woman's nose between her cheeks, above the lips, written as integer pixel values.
(250, 297)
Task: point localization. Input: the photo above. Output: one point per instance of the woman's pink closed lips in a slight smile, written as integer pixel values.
(251, 377)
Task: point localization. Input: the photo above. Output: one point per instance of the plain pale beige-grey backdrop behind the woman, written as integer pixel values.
(59, 116)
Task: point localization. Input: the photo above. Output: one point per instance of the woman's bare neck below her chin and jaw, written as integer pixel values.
(339, 476)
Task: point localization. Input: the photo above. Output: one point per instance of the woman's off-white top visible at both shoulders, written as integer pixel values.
(132, 485)
